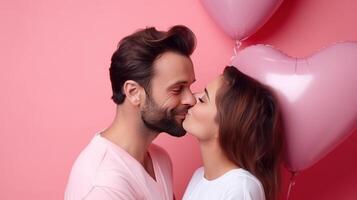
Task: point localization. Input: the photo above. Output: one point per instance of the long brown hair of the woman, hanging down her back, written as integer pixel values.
(250, 128)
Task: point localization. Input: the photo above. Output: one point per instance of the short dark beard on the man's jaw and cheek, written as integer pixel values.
(161, 120)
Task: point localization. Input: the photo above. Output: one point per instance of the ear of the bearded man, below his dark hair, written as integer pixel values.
(132, 91)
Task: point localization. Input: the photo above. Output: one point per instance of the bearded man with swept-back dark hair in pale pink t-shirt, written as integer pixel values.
(151, 73)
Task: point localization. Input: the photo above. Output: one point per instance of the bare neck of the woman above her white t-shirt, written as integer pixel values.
(215, 162)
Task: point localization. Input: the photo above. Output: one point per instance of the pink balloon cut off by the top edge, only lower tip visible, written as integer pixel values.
(240, 18)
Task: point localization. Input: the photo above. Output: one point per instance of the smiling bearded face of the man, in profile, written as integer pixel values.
(170, 97)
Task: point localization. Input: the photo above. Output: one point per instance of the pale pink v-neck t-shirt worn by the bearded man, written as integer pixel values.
(104, 171)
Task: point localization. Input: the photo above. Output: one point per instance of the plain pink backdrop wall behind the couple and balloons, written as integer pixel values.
(56, 91)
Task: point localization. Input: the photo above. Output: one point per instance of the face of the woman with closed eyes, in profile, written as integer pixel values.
(200, 119)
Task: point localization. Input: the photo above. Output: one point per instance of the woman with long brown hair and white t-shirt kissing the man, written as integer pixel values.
(237, 123)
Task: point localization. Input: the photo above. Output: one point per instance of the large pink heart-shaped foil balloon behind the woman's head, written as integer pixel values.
(318, 96)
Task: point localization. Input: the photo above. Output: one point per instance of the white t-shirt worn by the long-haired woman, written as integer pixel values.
(237, 184)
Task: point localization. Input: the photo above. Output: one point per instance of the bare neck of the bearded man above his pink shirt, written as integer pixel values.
(129, 133)
